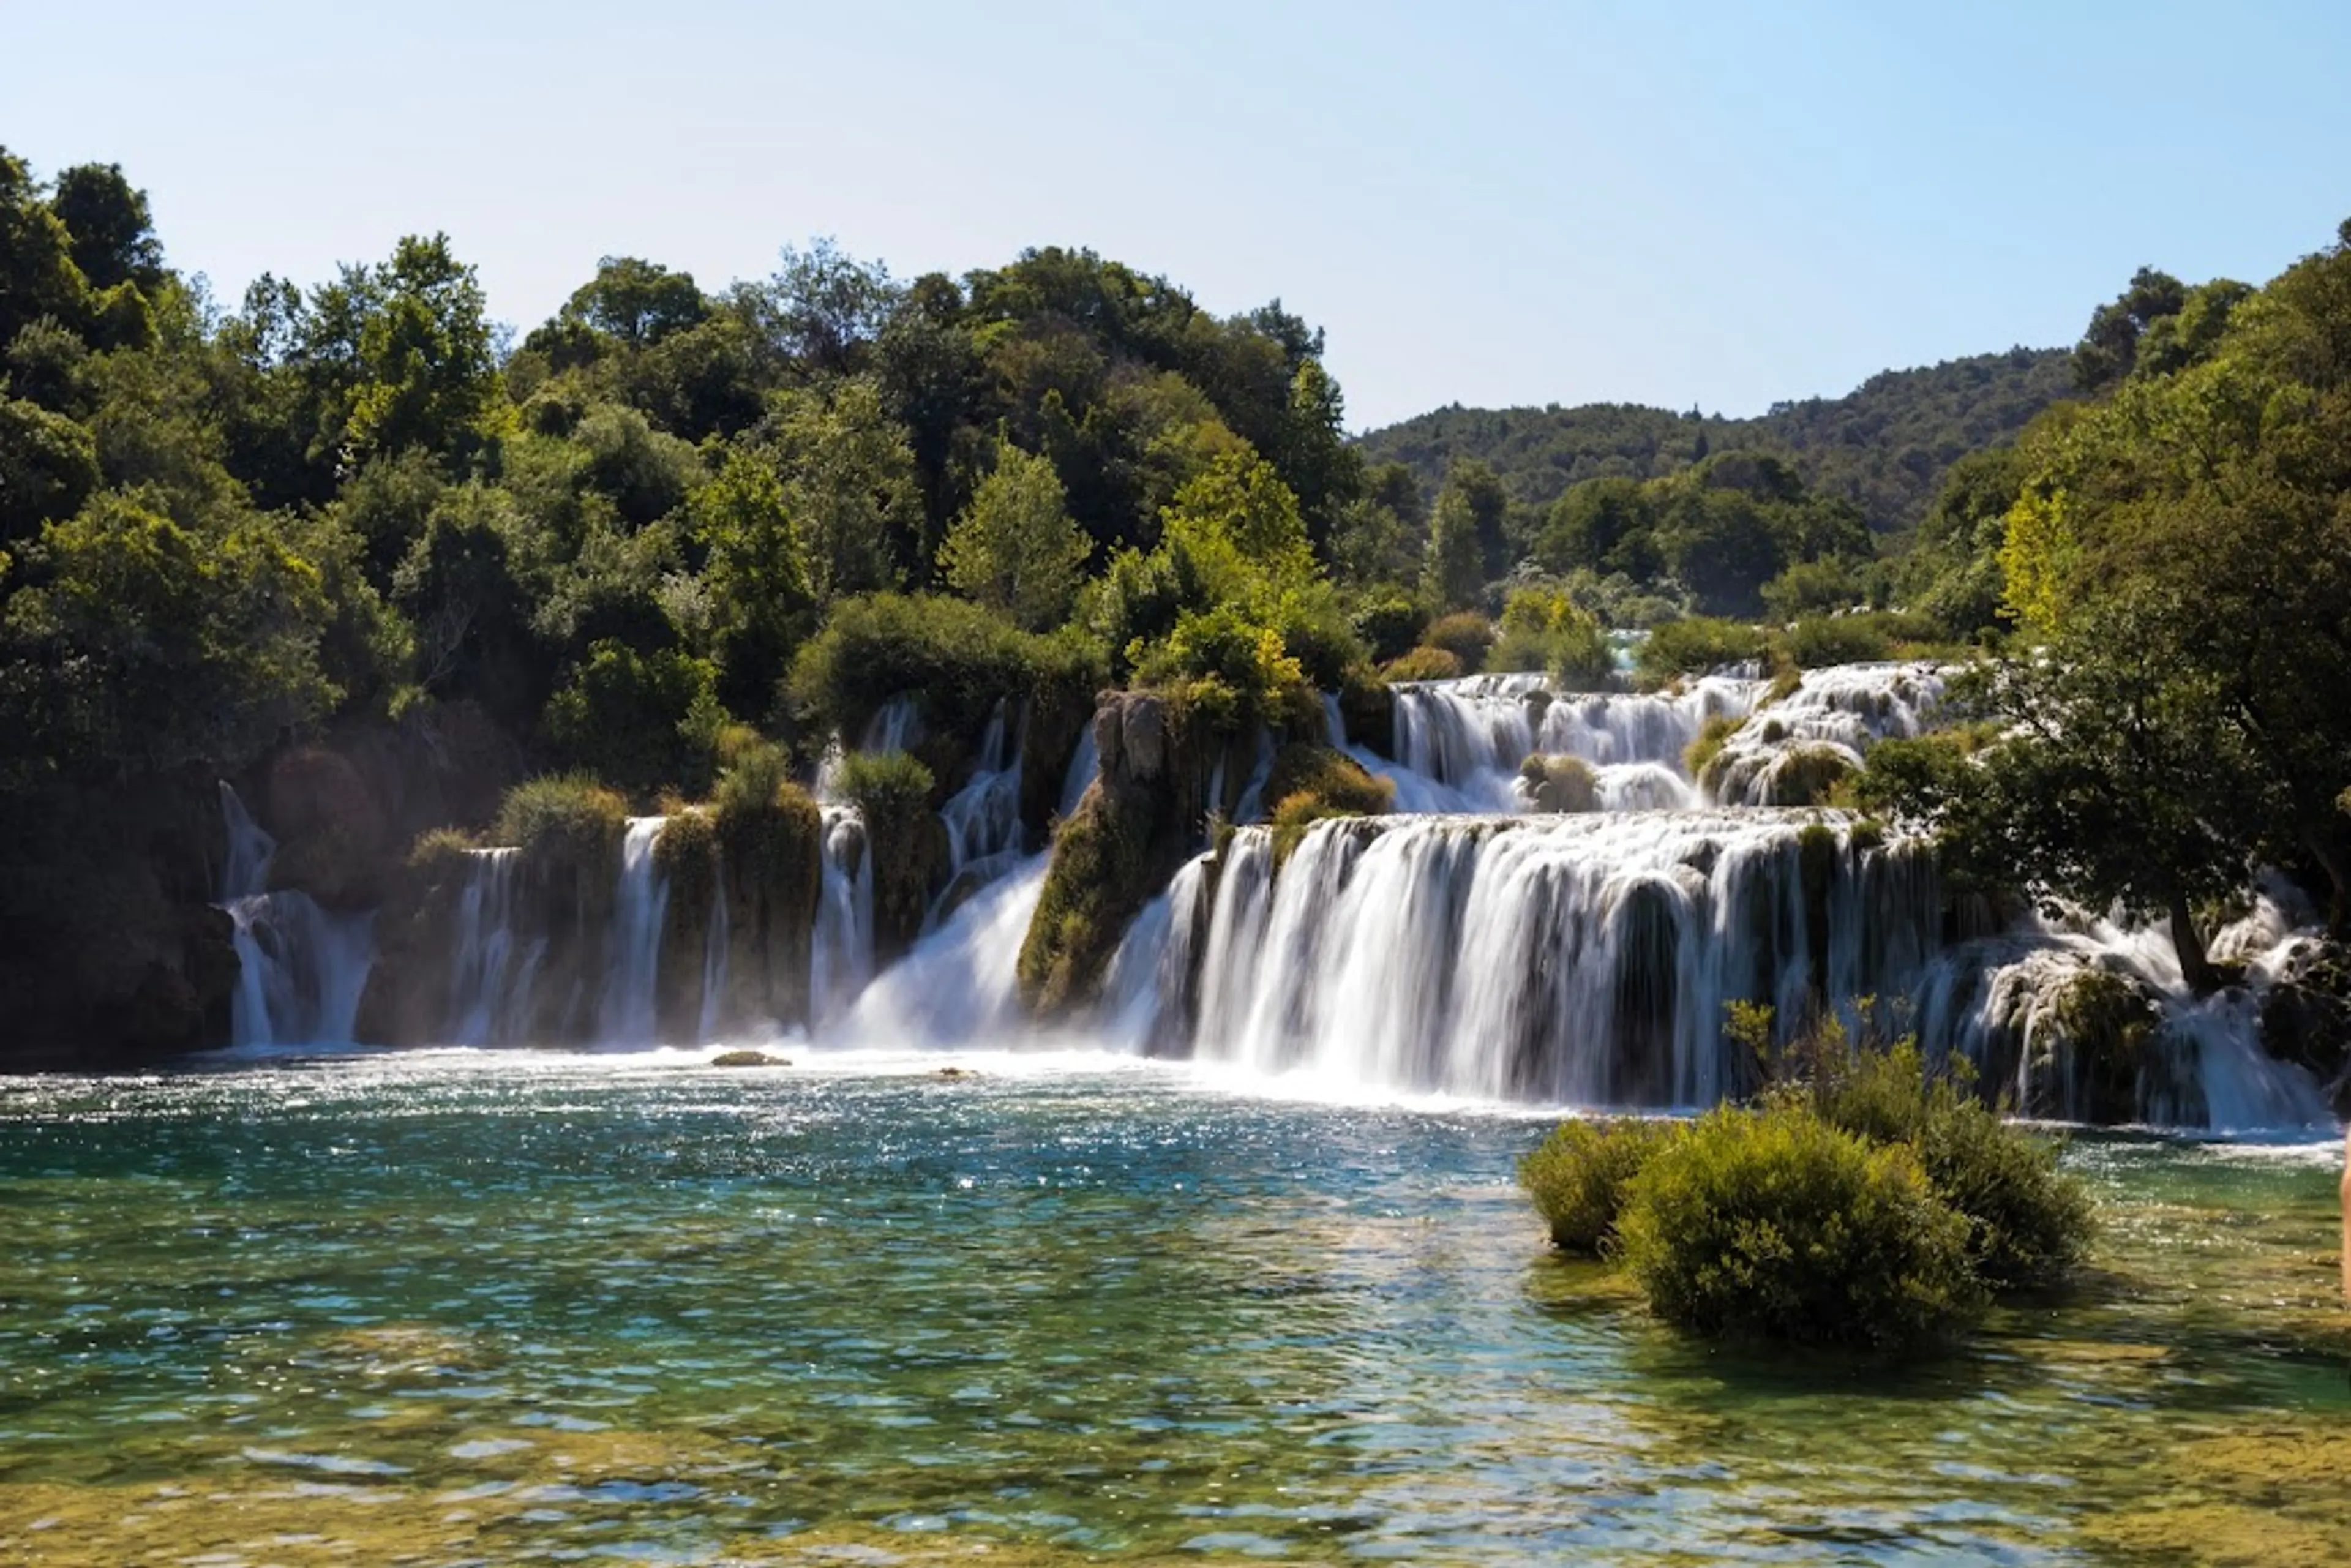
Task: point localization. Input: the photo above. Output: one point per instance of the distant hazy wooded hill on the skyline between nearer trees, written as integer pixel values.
(1884, 445)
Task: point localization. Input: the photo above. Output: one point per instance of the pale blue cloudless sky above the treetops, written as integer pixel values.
(1696, 203)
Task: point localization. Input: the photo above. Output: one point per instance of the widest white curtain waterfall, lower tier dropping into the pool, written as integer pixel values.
(1569, 958)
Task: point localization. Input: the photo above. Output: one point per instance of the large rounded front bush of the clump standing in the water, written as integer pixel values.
(1779, 1226)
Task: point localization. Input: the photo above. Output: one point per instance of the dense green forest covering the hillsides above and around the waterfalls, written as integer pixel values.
(676, 523)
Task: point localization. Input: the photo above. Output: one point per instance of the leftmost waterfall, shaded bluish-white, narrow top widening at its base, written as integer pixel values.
(300, 967)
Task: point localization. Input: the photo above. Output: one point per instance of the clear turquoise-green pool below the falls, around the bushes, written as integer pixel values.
(457, 1308)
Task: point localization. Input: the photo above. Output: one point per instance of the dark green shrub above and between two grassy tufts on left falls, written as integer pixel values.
(634, 718)
